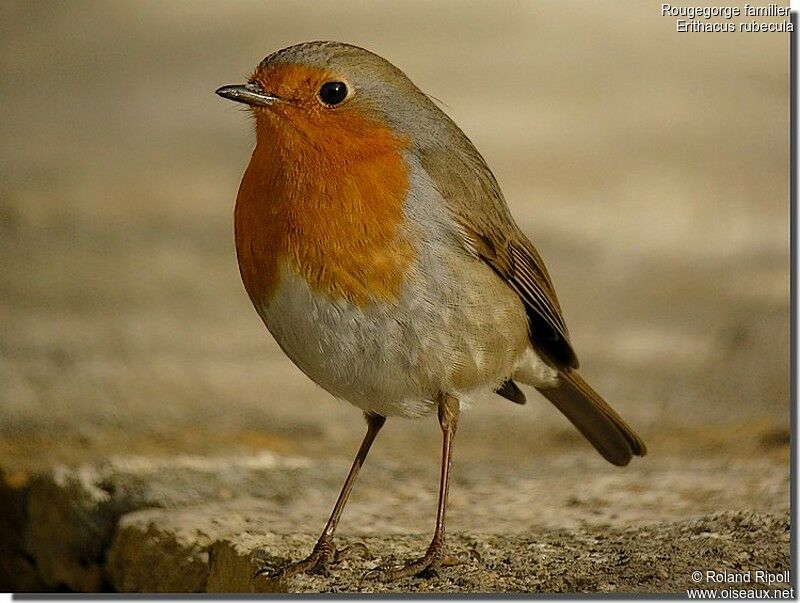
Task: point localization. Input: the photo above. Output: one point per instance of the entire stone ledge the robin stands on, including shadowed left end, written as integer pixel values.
(195, 524)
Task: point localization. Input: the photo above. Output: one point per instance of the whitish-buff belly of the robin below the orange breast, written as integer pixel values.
(444, 334)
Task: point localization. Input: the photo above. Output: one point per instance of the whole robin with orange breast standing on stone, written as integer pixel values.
(378, 249)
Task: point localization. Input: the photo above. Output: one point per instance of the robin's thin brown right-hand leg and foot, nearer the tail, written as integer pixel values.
(432, 559)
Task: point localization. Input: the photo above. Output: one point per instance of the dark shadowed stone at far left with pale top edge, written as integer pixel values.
(67, 516)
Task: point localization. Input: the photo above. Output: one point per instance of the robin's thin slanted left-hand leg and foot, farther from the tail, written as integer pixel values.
(325, 551)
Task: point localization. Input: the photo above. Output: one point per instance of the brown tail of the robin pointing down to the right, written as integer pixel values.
(595, 419)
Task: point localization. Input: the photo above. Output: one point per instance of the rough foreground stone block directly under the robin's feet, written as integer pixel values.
(193, 551)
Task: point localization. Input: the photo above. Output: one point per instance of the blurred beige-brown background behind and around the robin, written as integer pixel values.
(649, 167)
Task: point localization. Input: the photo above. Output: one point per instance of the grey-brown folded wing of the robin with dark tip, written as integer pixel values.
(488, 230)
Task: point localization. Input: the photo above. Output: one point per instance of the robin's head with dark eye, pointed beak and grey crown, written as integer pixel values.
(330, 95)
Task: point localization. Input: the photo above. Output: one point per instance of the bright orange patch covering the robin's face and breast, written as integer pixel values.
(324, 191)
